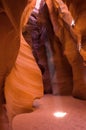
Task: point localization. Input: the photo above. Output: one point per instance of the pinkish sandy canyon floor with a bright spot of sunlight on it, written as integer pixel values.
(54, 113)
